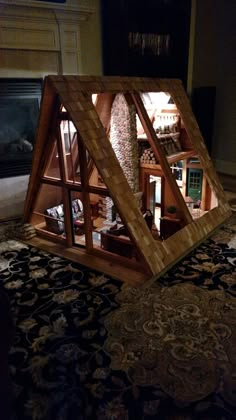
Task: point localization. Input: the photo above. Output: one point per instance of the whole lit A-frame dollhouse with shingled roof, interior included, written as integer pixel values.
(121, 174)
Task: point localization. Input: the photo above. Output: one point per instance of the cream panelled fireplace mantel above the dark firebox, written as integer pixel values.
(38, 38)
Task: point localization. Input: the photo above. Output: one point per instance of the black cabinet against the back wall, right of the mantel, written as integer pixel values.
(146, 38)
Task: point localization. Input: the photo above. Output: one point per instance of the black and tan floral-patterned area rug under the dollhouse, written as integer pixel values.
(88, 347)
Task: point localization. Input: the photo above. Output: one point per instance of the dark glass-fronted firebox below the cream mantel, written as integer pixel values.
(19, 110)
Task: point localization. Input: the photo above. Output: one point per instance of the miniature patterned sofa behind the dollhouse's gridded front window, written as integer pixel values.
(54, 216)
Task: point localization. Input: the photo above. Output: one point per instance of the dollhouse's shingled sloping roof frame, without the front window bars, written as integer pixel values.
(74, 92)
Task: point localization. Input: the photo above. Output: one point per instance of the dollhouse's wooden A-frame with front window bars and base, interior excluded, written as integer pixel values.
(74, 94)
